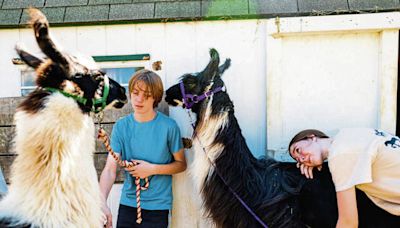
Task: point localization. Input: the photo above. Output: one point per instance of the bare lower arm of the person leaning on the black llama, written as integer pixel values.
(347, 206)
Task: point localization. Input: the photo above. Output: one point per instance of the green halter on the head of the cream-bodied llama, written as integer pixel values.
(82, 100)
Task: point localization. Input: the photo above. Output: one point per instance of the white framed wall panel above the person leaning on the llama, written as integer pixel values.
(329, 73)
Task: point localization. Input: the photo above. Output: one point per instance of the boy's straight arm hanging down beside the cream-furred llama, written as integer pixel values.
(107, 179)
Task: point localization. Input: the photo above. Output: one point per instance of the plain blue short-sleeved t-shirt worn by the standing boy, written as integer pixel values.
(154, 141)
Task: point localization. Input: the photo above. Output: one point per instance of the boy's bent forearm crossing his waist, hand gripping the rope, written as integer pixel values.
(145, 169)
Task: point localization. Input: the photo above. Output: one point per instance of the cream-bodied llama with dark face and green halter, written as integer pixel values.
(53, 179)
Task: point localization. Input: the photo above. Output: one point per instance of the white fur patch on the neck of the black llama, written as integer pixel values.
(206, 132)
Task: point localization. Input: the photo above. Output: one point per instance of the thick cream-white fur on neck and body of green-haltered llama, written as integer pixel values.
(53, 179)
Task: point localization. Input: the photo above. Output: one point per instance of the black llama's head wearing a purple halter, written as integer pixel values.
(197, 87)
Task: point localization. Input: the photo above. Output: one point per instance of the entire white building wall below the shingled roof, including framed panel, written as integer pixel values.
(287, 74)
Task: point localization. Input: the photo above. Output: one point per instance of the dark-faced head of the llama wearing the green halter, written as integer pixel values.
(73, 76)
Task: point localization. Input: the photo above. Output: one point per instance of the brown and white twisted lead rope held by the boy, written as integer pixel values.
(102, 135)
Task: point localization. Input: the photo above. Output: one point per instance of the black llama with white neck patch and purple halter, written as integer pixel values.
(275, 191)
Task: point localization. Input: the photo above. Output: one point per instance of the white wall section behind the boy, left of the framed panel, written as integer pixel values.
(182, 47)
